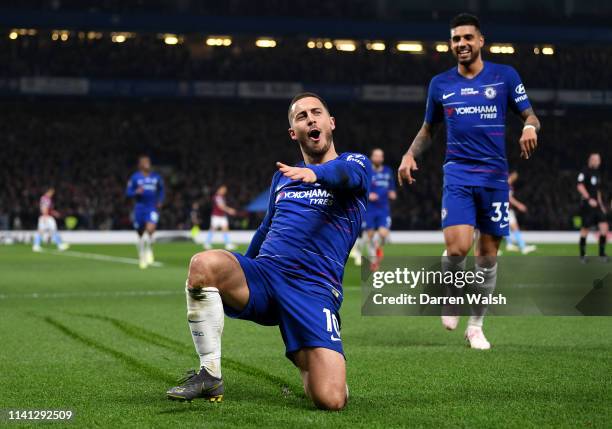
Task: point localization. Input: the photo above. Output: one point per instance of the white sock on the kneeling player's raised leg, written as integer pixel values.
(205, 317)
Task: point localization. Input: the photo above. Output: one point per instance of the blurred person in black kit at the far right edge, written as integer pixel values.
(592, 209)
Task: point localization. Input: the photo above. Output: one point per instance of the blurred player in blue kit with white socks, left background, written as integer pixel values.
(147, 189)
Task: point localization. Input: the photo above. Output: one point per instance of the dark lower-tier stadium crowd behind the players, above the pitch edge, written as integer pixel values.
(88, 150)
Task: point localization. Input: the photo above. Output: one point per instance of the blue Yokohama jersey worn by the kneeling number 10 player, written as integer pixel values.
(310, 228)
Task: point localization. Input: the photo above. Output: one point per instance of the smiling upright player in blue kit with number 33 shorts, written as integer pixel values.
(473, 98)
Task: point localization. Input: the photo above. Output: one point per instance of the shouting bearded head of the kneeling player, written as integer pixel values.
(311, 126)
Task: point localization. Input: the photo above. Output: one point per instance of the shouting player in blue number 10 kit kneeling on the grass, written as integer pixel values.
(291, 275)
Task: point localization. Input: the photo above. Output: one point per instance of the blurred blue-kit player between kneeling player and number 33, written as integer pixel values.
(382, 189)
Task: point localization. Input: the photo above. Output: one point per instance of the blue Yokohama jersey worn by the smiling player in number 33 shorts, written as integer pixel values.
(475, 114)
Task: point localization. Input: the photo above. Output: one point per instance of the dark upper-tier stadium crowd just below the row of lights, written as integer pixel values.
(145, 56)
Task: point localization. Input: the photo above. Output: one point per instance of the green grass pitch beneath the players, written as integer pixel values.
(106, 340)
